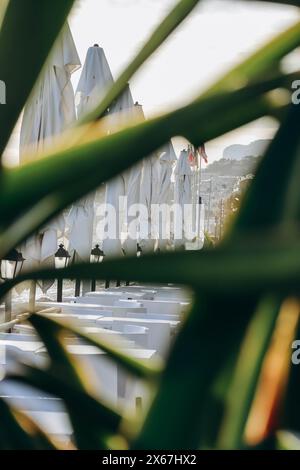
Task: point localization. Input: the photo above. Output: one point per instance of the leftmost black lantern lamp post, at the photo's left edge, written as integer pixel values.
(11, 266)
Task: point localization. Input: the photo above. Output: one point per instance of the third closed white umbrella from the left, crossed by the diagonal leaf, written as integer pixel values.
(126, 185)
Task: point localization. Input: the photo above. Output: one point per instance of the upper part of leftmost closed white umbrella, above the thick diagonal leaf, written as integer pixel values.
(50, 108)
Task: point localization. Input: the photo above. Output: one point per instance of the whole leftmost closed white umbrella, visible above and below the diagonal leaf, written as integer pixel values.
(48, 112)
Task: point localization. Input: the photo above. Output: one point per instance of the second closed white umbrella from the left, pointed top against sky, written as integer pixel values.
(95, 78)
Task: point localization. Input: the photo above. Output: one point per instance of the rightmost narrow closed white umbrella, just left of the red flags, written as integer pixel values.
(183, 198)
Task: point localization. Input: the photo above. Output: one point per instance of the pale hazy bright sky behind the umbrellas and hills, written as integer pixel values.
(216, 36)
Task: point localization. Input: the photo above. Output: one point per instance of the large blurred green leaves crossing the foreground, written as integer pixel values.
(204, 393)
